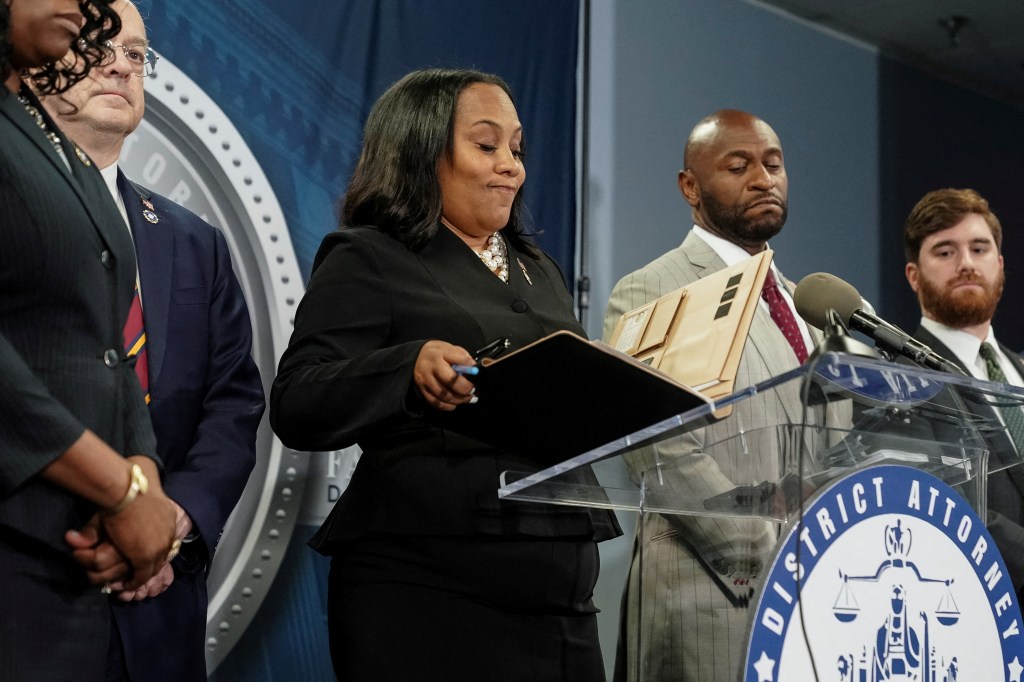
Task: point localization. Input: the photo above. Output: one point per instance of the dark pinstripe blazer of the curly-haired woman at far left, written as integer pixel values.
(67, 277)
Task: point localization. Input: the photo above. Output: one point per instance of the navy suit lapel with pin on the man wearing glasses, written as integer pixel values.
(154, 251)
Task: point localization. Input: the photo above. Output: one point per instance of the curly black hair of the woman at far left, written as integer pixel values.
(102, 24)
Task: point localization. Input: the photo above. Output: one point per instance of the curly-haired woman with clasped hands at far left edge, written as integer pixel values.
(70, 405)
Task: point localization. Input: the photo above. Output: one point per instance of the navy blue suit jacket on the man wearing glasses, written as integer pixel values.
(207, 401)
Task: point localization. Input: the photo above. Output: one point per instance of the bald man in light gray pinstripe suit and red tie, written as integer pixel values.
(690, 622)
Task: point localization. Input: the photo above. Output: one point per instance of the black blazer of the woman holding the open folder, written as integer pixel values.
(347, 378)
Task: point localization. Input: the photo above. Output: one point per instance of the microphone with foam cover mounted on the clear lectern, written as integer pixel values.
(820, 293)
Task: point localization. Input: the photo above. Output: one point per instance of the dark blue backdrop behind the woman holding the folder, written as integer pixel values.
(297, 79)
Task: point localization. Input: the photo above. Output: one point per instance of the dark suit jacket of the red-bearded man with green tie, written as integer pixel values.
(1006, 489)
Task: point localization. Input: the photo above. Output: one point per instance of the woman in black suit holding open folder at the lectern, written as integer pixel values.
(433, 578)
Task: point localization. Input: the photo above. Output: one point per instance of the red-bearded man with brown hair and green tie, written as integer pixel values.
(953, 243)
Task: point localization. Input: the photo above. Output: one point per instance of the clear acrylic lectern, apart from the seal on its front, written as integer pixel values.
(733, 491)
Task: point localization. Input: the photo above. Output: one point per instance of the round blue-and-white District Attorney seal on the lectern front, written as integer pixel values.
(890, 577)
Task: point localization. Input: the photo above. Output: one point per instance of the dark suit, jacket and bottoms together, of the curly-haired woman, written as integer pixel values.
(67, 276)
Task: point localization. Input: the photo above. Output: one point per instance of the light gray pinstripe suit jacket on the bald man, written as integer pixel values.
(690, 621)
